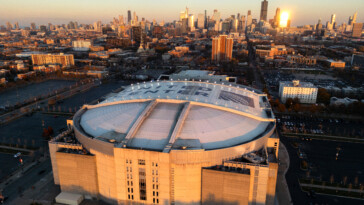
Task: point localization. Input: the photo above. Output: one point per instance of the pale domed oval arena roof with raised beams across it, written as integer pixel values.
(173, 114)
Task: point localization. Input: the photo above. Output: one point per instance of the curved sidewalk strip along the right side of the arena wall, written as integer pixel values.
(282, 191)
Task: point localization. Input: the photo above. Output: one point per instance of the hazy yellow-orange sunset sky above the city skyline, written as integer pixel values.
(88, 11)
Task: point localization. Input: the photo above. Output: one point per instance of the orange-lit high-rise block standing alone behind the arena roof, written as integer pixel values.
(222, 48)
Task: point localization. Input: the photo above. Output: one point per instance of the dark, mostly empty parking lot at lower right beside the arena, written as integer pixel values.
(323, 165)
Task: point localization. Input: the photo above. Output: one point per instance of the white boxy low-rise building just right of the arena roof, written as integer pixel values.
(305, 92)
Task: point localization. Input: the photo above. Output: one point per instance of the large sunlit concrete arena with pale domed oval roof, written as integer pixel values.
(171, 142)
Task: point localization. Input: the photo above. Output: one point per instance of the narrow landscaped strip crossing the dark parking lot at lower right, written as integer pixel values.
(335, 189)
